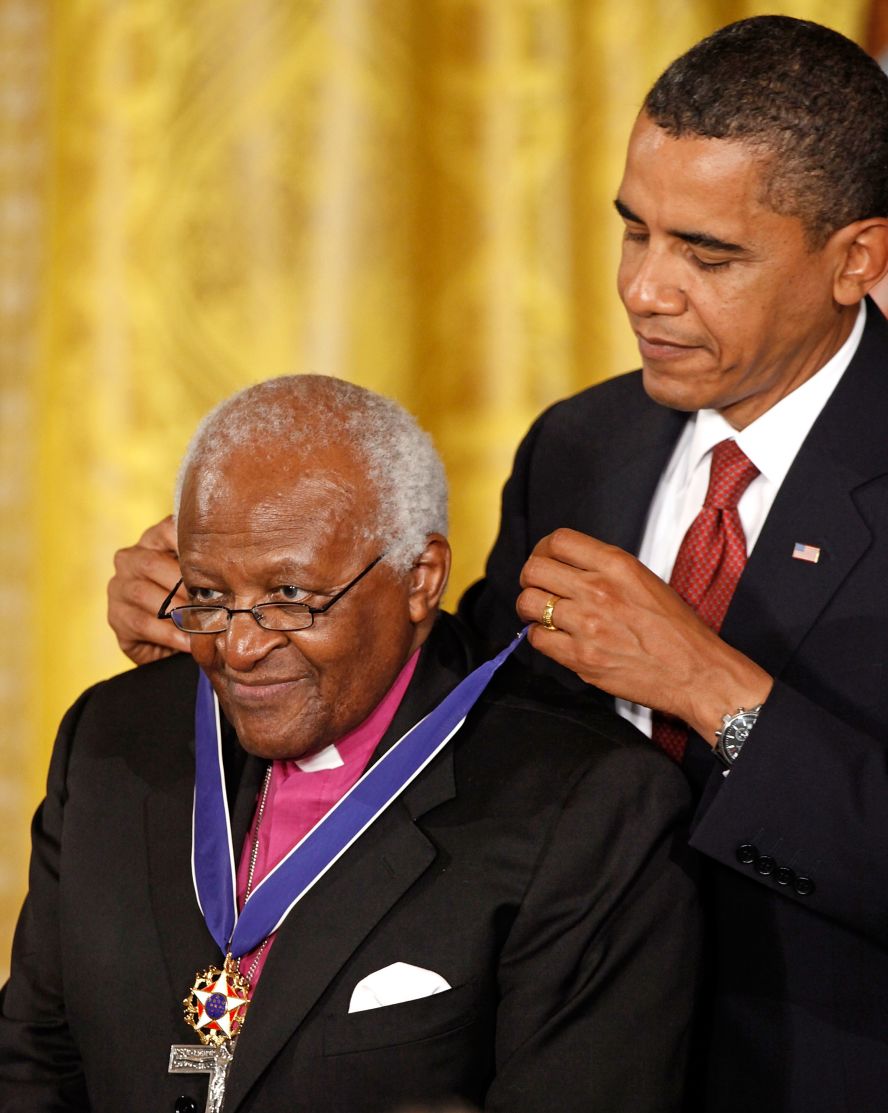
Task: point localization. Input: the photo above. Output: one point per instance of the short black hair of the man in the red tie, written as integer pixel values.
(812, 102)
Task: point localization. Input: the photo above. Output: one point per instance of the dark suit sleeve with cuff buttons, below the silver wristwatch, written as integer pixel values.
(808, 796)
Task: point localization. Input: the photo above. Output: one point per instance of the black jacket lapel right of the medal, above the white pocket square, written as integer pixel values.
(331, 922)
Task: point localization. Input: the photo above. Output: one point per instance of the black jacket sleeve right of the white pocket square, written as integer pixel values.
(600, 968)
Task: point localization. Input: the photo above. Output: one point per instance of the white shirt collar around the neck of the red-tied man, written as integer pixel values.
(773, 441)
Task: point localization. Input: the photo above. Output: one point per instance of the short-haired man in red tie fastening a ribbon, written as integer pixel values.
(755, 201)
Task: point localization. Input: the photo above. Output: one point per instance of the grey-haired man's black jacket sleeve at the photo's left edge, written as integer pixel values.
(41, 1069)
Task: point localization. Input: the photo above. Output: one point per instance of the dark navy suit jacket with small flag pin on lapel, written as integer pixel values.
(801, 974)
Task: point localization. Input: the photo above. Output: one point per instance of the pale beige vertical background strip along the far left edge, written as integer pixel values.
(25, 76)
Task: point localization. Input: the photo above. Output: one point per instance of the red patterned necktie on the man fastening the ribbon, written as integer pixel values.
(711, 562)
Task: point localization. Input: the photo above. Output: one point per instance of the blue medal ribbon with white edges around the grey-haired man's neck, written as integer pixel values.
(213, 861)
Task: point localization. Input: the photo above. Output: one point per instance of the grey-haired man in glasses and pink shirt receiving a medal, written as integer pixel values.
(516, 930)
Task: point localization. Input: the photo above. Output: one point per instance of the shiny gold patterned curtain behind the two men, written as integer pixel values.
(412, 194)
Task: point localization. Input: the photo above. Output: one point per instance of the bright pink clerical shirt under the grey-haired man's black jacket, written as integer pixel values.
(302, 793)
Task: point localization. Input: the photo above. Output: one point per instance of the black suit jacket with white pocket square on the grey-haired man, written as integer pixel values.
(531, 865)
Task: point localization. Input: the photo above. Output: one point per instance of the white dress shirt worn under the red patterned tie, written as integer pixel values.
(772, 442)
